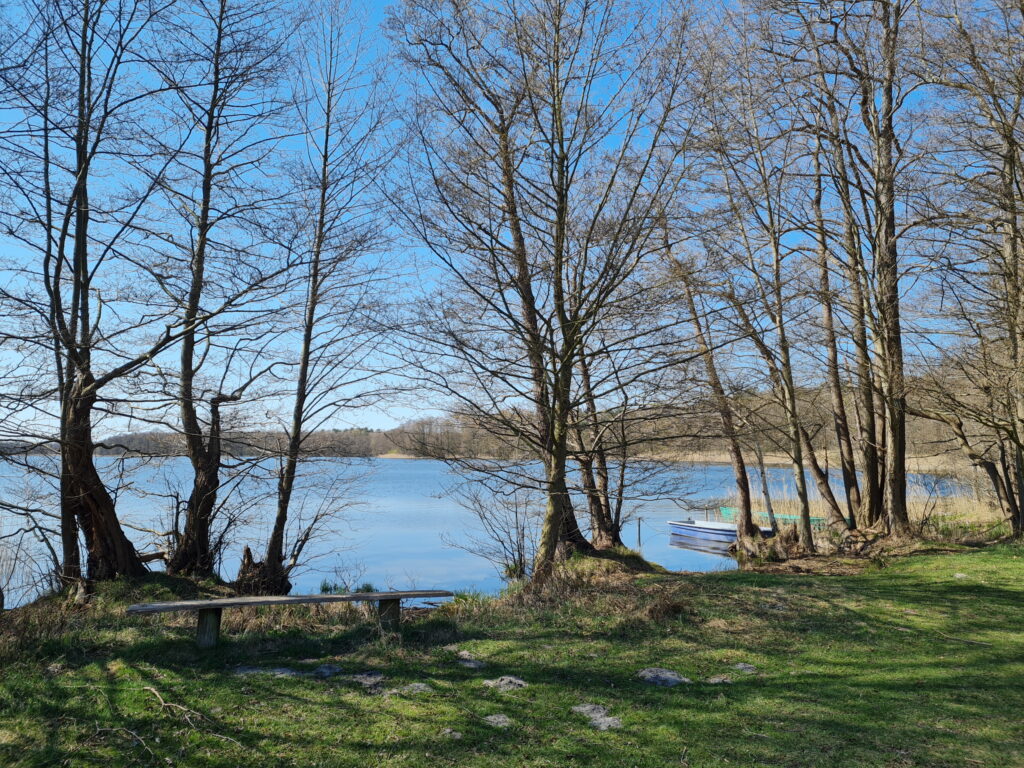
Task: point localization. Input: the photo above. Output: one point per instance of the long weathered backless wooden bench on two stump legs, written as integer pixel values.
(208, 624)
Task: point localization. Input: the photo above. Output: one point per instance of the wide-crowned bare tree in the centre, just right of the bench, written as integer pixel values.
(539, 161)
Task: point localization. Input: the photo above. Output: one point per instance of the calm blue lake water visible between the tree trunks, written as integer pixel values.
(401, 533)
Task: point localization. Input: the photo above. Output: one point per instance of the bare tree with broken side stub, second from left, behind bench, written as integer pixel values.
(226, 66)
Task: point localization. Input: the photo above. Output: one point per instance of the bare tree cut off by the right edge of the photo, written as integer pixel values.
(975, 57)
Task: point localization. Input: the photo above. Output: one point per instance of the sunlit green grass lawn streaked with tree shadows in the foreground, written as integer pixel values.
(917, 664)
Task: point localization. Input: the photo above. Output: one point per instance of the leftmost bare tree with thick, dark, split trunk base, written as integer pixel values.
(78, 110)
